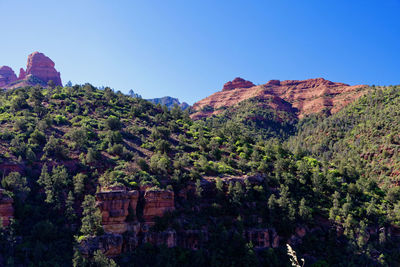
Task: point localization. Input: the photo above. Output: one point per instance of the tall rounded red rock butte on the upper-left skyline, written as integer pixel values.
(42, 67)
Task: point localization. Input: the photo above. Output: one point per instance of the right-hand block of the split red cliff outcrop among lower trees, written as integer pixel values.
(157, 202)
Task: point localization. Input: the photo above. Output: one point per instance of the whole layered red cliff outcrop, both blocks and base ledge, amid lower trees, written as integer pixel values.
(126, 224)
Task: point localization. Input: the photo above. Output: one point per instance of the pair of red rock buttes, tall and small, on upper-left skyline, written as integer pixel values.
(39, 70)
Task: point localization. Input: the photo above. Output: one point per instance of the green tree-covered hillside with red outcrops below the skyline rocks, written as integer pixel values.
(243, 183)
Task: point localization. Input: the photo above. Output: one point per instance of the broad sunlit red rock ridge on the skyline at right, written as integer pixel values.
(307, 96)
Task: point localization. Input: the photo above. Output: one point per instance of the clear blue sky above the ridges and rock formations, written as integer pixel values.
(189, 49)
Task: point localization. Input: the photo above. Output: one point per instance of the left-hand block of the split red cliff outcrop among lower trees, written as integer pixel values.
(115, 207)
